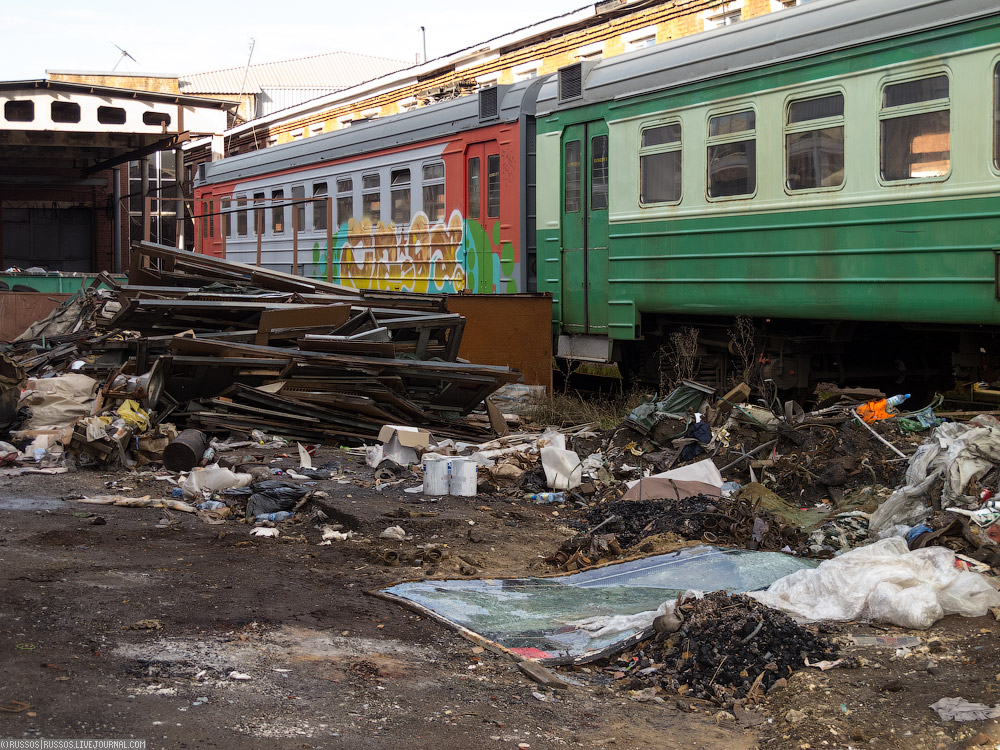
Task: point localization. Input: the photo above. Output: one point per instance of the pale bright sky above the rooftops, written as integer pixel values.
(184, 36)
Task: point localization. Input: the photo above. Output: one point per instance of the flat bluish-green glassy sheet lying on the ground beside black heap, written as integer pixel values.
(541, 617)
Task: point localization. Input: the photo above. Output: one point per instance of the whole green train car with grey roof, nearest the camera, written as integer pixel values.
(832, 171)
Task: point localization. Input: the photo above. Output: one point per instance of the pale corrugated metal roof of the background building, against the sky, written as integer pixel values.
(334, 70)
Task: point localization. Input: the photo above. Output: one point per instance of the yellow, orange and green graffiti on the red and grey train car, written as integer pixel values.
(425, 257)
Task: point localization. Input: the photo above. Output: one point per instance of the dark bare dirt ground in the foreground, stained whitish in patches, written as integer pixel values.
(260, 642)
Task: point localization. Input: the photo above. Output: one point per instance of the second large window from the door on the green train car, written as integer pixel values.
(732, 154)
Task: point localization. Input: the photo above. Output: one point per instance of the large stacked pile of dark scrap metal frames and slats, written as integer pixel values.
(222, 346)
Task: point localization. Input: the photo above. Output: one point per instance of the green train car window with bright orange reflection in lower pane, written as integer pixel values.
(915, 124)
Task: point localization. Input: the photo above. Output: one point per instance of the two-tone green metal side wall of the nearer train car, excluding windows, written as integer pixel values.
(921, 251)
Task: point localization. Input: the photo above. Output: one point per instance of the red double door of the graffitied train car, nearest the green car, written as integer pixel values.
(482, 208)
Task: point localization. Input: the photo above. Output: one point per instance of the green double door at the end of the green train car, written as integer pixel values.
(584, 294)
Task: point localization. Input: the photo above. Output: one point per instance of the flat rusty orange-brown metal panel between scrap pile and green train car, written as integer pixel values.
(508, 329)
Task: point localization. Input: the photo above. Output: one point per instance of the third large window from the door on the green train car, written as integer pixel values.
(814, 143)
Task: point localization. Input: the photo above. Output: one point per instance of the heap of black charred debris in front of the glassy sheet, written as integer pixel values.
(724, 648)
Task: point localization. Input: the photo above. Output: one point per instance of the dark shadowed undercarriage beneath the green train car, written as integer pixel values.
(790, 357)
